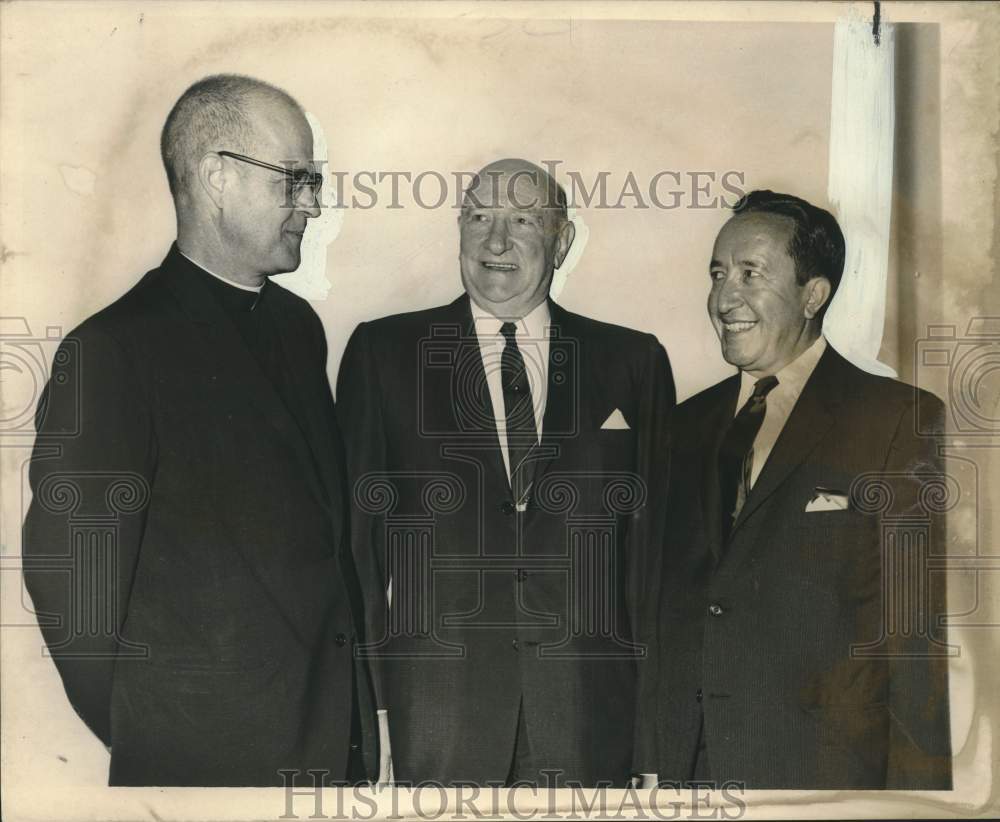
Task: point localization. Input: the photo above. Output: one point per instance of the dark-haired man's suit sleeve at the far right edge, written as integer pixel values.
(920, 738)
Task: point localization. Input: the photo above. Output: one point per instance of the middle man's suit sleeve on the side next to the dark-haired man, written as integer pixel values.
(657, 398)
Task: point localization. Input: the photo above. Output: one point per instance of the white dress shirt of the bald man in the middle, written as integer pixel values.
(533, 342)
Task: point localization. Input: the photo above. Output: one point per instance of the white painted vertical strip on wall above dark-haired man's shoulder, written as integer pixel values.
(862, 119)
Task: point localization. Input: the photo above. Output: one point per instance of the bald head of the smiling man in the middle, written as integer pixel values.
(512, 239)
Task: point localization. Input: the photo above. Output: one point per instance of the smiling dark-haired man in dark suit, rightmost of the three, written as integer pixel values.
(789, 656)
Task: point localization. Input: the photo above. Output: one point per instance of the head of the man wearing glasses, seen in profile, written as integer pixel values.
(230, 146)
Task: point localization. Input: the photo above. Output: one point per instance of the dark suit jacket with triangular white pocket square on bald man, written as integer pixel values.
(491, 605)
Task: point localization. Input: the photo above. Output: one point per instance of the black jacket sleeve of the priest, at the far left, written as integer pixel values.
(93, 459)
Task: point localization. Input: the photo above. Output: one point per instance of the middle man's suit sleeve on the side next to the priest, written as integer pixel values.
(359, 407)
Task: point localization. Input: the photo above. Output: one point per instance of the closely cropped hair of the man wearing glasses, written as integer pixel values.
(212, 115)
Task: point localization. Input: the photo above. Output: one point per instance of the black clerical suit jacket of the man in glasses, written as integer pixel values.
(184, 545)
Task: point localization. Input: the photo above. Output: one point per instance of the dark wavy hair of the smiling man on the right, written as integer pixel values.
(817, 243)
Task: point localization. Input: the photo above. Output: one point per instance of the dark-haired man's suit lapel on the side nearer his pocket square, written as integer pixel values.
(809, 422)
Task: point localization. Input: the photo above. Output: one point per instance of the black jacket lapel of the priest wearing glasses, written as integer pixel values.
(227, 357)
